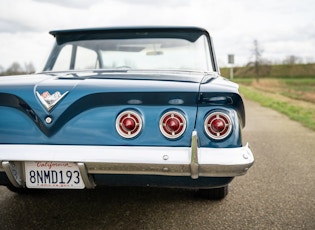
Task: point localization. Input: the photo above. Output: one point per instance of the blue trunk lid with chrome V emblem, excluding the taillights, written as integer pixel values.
(83, 108)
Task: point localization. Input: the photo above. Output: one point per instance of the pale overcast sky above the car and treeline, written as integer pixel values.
(281, 27)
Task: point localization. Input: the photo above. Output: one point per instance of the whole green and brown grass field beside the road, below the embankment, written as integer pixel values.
(294, 97)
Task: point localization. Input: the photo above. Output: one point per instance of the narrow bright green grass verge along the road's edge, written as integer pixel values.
(305, 116)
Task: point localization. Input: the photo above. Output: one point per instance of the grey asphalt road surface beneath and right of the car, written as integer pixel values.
(277, 193)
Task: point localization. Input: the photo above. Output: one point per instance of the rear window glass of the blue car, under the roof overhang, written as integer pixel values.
(133, 53)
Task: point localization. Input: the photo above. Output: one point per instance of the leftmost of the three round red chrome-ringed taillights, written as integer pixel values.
(128, 124)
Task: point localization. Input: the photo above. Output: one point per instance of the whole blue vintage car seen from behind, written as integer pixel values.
(140, 106)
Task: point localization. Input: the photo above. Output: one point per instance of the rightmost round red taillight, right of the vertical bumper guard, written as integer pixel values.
(218, 125)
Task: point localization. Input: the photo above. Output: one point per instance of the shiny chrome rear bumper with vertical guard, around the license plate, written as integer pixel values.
(166, 161)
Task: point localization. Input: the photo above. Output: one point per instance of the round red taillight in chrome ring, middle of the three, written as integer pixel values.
(172, 124)
